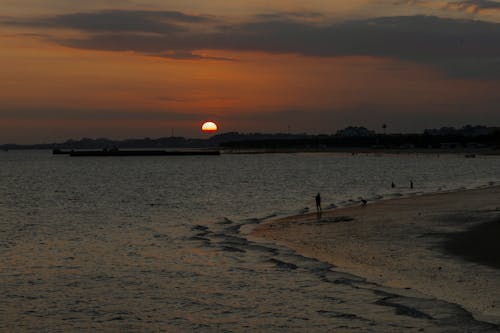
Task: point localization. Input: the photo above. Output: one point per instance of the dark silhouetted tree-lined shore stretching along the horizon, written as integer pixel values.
(448, 139)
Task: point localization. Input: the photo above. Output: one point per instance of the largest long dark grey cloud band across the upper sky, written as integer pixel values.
(460, 47)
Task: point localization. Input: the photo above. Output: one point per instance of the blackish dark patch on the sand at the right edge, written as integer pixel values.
(479, 244)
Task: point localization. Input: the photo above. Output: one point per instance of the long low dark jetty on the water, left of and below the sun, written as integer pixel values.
(118, 152)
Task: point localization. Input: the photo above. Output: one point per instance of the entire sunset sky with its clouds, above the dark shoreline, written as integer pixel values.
(132, 68)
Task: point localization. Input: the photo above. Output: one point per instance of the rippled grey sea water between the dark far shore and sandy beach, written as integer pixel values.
(158, 243)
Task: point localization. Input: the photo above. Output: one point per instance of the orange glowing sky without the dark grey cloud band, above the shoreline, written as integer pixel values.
(51, 91)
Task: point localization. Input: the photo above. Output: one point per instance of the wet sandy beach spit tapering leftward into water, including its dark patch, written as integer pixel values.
(444, 246)
